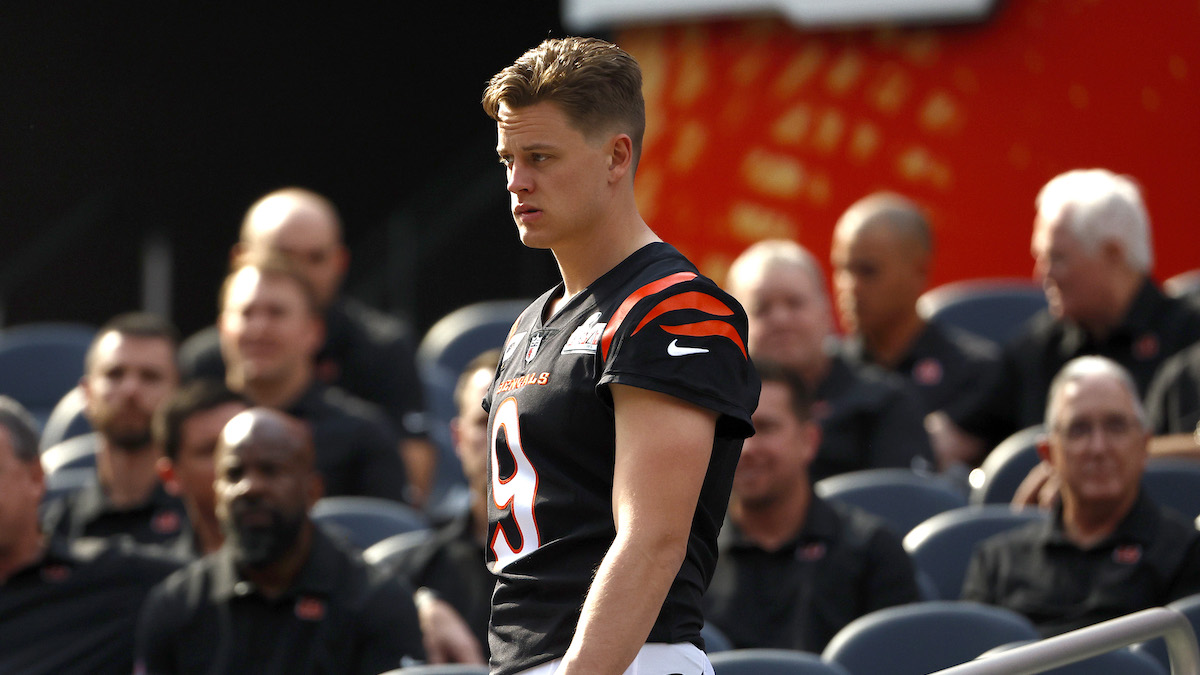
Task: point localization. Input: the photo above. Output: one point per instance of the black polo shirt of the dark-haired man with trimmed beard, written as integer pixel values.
(88, 512)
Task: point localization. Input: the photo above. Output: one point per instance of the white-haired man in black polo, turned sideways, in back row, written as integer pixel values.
(1093, 252)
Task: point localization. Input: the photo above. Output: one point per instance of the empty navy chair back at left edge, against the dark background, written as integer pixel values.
(41, 362)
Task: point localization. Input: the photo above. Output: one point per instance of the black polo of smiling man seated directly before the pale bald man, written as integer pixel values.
(357, 451)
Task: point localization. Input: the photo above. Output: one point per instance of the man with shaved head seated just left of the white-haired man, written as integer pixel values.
(883, 252)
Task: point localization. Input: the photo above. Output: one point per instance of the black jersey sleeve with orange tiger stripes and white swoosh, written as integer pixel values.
(686, 338)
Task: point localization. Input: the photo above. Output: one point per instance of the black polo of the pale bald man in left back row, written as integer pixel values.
(367, 353)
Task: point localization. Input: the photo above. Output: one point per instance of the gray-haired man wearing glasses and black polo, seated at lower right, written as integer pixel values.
(1109, 549)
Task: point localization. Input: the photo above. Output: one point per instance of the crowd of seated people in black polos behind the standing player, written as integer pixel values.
(211, 456)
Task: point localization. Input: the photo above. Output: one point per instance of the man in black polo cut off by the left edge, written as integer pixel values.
(65, 608)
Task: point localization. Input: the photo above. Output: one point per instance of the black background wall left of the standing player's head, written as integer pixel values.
(122, 122)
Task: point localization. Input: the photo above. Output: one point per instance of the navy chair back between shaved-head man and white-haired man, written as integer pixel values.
(991, 308)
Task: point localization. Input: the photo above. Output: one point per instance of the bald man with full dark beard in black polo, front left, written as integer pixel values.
(279, 596)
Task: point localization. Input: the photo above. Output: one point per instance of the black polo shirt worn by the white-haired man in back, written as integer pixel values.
(1154, 328)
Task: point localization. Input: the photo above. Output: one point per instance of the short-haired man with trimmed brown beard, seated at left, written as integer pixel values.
(130, 369)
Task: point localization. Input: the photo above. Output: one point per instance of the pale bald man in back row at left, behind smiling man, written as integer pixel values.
(365, 353)
